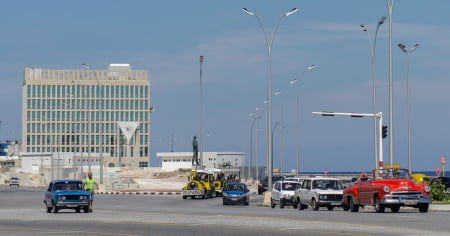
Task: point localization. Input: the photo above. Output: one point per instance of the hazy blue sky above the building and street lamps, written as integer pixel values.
(167, 38)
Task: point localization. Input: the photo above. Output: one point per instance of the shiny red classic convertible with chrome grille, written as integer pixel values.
(391, 188)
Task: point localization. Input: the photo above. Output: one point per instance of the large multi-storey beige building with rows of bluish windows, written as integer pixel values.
(89, 113)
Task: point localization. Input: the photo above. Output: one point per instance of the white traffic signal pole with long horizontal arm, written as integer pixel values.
(379, 115)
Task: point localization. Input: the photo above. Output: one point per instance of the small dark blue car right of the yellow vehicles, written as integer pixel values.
(236, 193)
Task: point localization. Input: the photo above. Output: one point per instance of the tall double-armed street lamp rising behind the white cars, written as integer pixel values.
(269, 42)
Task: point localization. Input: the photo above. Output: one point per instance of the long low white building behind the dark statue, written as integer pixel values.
(183, 160)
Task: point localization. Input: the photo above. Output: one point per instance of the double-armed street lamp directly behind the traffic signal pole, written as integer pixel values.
(374, 90)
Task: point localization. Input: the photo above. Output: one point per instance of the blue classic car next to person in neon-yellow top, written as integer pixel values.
(66, 194)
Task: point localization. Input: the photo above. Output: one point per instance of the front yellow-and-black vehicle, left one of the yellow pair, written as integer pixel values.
(200, 184)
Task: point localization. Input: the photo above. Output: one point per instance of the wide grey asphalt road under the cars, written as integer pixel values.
(22, 213)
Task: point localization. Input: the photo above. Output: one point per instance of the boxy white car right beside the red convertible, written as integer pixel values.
(320, 192)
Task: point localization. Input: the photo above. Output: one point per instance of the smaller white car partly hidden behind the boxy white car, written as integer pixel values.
(283, 194)
